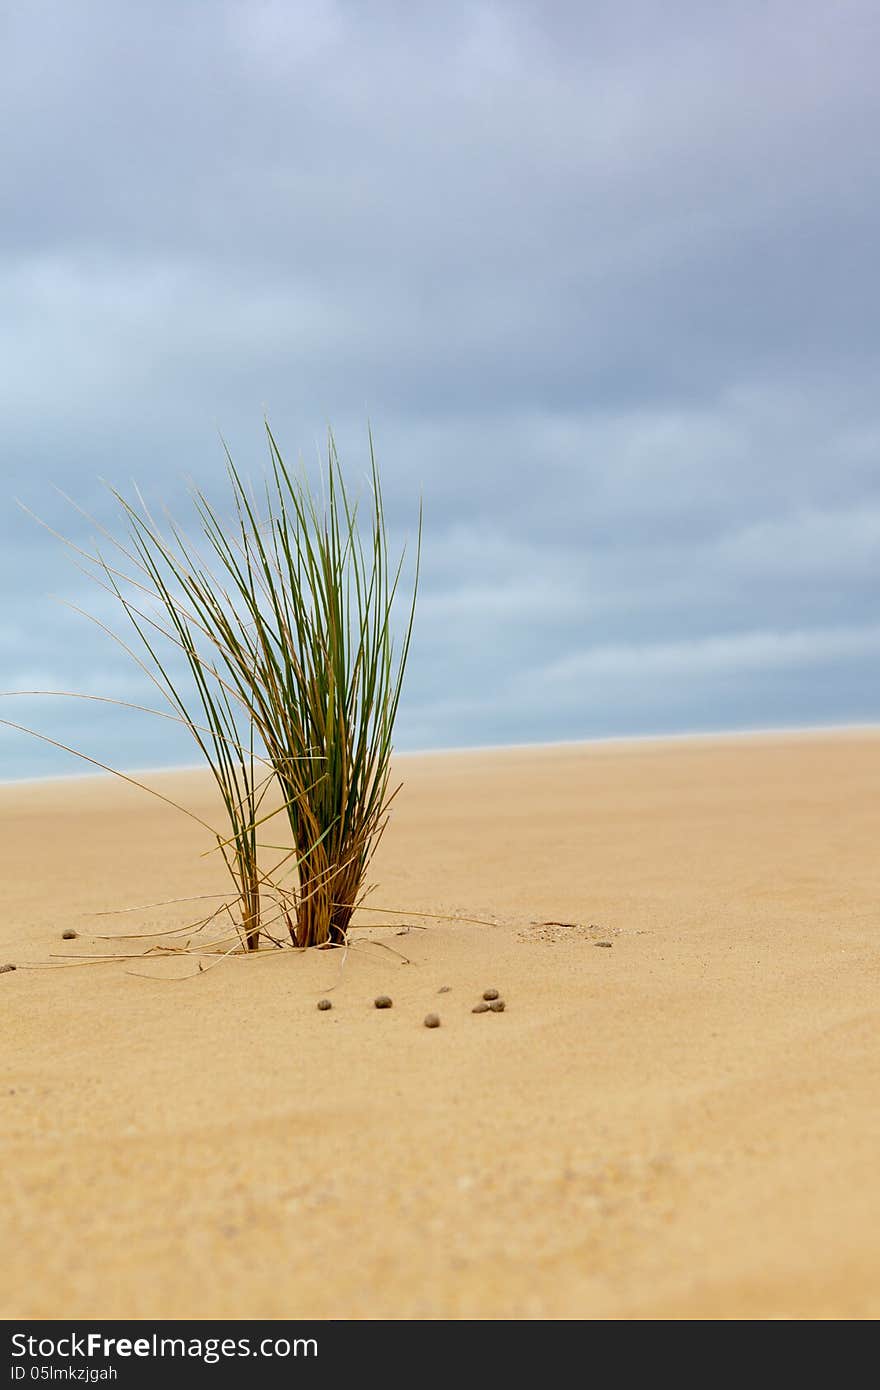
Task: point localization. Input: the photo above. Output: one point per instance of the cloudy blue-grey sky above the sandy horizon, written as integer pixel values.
(603, 279)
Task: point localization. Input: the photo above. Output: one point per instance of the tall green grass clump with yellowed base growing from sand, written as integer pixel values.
(272, 639)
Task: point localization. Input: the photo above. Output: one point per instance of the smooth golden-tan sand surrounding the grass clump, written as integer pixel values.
(676, 1117)
